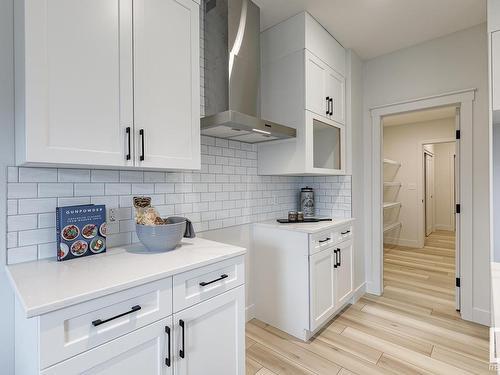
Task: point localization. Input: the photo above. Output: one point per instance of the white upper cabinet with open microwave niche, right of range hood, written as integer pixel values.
(303, 86)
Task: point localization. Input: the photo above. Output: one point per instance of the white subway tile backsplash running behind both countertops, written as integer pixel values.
(227, 191)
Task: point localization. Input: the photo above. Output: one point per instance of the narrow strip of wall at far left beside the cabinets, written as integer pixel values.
(6, 158)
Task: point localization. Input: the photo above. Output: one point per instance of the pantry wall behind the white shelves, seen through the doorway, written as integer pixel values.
(403, 143)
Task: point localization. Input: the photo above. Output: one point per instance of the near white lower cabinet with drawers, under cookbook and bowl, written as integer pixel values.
(151, 329)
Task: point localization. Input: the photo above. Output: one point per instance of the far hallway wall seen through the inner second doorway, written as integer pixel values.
(444, 177)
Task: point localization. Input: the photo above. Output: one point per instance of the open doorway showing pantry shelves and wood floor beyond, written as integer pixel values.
(421, 257)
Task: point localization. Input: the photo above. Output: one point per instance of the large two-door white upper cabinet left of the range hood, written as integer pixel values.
(88, 72)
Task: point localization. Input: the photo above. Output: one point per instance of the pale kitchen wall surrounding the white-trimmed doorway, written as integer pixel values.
(457, 61)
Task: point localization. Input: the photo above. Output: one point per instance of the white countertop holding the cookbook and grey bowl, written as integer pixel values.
(47, 285)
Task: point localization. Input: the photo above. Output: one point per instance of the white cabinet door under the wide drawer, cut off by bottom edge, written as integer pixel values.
(140, 352)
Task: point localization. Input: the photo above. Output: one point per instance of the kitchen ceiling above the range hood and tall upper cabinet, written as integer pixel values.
(376, 27)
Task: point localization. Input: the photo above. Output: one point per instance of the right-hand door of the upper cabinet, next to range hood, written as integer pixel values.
(167, 83)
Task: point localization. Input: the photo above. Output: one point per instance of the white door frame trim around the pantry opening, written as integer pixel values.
(464, 100)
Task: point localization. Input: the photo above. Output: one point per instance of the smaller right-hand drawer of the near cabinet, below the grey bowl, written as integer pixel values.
(203, 283)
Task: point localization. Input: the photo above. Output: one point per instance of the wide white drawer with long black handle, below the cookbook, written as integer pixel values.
(67, 332)
